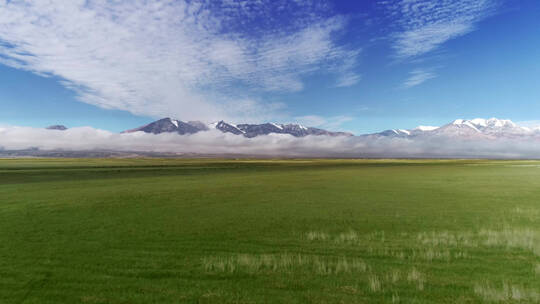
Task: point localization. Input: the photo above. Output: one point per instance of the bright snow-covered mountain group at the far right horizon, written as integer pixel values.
(473, 128)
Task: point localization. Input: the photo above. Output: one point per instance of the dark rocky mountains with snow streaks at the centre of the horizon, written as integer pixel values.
(167, 125)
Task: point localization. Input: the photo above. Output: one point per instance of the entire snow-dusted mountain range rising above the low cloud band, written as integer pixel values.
(462, 128)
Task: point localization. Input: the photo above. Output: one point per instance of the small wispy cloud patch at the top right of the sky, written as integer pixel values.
(424, 25)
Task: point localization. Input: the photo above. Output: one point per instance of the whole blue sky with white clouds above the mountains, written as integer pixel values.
(361, 66)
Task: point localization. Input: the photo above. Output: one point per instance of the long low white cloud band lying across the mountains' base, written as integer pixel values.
(280, 145)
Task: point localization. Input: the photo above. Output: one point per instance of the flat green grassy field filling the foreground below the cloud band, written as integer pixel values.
(299, 231)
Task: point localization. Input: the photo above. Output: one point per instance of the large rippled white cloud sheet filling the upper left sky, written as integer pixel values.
(187, 59)
